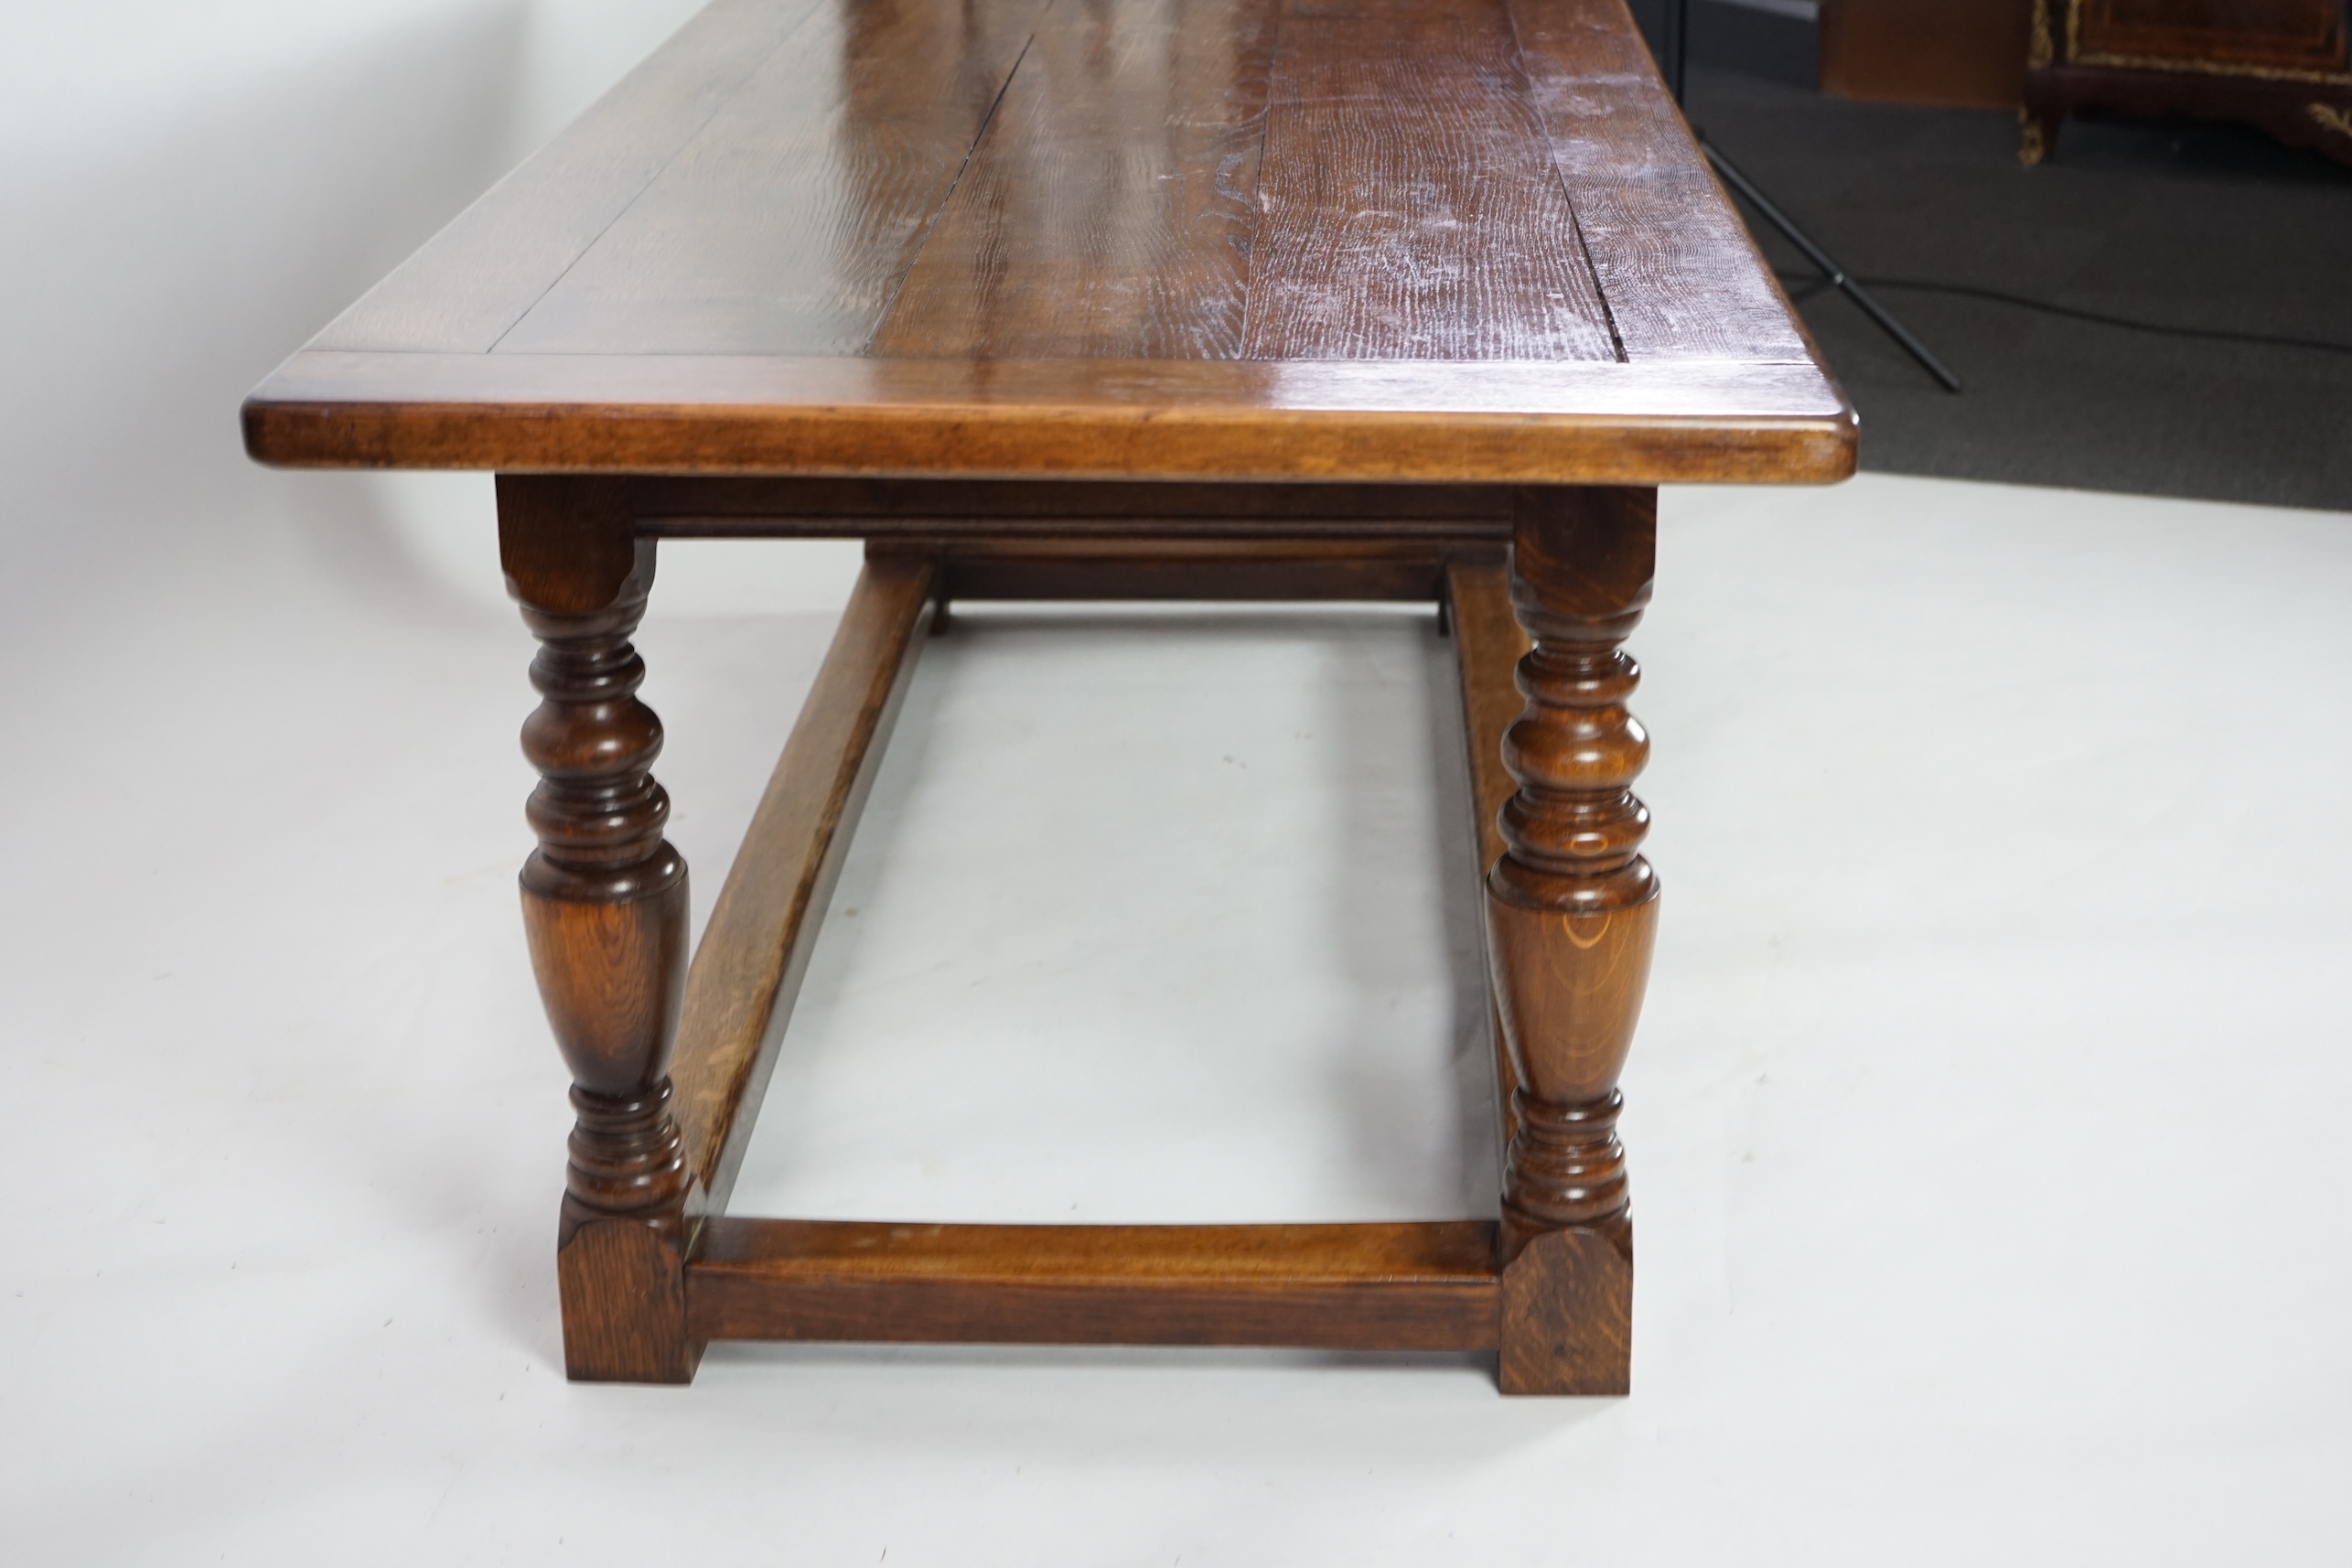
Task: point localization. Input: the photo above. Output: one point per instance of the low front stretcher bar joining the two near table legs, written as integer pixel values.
(1335, 1287)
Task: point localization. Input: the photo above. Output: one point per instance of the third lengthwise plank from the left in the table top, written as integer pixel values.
(1109, 210)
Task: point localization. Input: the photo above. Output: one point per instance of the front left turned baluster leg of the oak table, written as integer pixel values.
(606, 911)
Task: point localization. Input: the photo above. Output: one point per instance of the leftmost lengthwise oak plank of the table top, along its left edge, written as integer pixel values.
(486, 269)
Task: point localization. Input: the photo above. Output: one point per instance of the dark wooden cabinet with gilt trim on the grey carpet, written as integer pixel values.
(2278, 65)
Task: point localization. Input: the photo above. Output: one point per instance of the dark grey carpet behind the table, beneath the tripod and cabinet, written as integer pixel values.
(2174, 222)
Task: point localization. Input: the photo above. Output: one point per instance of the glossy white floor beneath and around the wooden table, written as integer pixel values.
(1986, 1120)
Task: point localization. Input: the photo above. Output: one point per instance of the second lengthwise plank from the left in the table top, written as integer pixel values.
(791, 220)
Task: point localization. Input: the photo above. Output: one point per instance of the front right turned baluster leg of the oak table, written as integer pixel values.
(1572, 913)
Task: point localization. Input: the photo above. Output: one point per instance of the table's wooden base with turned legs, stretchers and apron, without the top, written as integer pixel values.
(650, 1268)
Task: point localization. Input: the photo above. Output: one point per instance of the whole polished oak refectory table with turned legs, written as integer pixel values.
(1090, 300)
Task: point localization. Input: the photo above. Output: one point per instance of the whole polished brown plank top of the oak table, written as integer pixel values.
(1462, 241)
